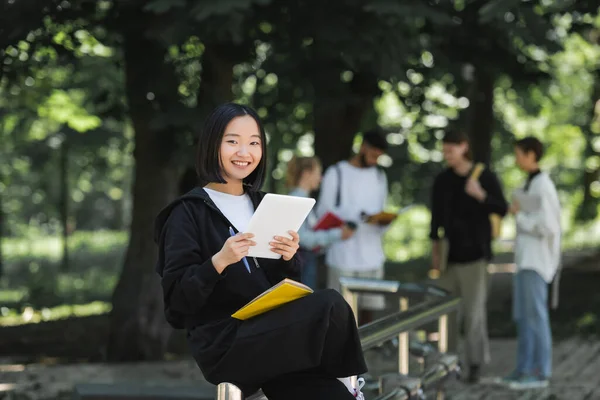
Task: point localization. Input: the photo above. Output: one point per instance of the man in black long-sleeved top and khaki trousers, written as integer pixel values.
(461, 206)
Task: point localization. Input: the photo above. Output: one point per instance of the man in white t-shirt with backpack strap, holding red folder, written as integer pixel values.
(352, 190)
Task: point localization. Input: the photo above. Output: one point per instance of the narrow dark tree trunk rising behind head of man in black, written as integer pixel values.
(481, 115)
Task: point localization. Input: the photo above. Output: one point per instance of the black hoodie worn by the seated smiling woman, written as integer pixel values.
(189, 231)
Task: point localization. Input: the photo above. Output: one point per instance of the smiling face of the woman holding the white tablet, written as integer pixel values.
(241, 148)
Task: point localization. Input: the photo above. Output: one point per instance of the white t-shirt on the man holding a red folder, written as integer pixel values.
(363, 190)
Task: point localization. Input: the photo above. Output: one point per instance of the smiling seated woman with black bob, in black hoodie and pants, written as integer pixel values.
(308, 348)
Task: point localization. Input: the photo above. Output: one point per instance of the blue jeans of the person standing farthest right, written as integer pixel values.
(530, 312)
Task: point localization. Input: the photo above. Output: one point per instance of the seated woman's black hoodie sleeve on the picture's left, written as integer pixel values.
(188, 276)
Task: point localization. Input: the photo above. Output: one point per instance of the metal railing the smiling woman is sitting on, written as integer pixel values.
(435, 305)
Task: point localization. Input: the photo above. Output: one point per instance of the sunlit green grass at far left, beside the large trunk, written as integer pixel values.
(33, 275)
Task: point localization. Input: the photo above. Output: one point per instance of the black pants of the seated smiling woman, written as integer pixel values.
(301, 347)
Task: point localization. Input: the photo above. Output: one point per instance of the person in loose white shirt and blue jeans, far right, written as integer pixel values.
(537, 256)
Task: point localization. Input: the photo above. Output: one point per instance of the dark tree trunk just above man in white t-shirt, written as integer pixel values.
(337, 119)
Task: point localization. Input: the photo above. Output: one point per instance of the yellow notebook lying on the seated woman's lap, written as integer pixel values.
(284, 292)
